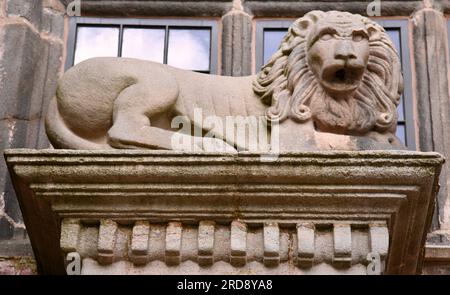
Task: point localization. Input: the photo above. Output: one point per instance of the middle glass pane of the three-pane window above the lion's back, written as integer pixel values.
(145, 44)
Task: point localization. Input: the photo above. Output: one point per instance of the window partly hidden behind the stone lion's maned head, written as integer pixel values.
(270, 33)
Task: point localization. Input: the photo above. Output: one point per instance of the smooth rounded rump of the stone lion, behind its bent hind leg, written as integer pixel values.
(87, 91)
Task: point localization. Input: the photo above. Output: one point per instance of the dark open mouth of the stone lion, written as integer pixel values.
(342, 78)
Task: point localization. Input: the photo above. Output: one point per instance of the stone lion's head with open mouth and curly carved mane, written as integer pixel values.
(338, 69)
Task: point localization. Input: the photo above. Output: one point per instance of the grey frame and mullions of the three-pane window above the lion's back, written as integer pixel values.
(166, 23)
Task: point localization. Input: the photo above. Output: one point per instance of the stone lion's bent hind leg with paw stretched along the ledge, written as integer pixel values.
(132, 128)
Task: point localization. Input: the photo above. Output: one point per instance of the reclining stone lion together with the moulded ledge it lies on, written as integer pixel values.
(334, 84)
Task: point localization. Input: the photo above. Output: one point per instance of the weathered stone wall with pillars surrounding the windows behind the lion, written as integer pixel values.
(32, 57)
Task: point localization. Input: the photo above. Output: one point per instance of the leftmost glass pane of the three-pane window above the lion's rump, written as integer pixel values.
(96, 42)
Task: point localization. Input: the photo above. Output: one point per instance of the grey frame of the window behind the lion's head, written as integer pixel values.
(398, 24)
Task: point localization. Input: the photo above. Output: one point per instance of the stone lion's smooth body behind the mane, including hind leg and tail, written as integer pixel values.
(73, 123)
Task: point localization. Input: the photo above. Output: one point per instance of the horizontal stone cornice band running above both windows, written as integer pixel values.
(258, 8)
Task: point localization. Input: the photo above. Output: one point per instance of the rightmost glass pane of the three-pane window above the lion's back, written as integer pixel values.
(189, 49)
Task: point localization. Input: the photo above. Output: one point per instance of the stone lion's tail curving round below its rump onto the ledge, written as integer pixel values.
(61, 136)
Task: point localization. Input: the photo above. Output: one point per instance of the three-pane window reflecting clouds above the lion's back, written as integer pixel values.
(186, 44)
